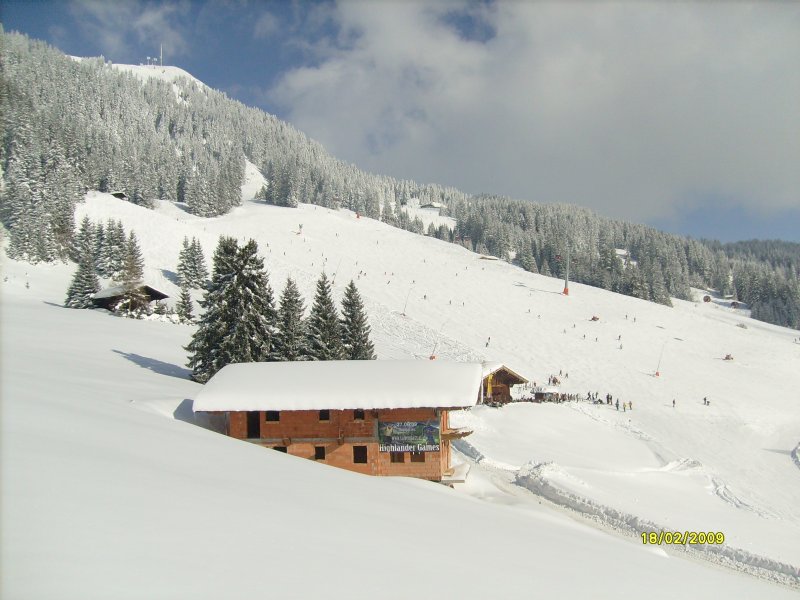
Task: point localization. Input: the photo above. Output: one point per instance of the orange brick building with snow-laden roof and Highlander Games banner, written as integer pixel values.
(372, 417)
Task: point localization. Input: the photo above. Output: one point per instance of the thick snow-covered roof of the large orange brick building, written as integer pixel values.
(341, 384)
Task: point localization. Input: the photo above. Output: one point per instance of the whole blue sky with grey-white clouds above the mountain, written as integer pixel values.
(685, 116)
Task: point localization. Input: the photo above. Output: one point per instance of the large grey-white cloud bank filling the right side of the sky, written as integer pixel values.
(635, 110)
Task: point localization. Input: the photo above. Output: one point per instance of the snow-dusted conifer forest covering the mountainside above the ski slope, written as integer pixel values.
(70, 125)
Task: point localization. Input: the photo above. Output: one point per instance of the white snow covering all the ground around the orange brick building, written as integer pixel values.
(107, 492)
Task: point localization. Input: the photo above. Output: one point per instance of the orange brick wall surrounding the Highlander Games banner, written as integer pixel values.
(347, 438)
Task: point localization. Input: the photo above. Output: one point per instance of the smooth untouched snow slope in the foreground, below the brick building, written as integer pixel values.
(103, 500)
